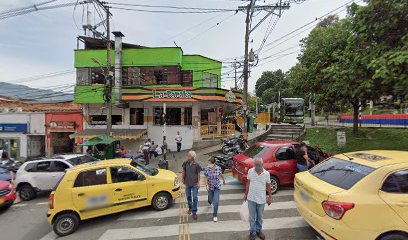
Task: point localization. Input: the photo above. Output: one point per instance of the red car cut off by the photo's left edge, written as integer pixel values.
(7, 192)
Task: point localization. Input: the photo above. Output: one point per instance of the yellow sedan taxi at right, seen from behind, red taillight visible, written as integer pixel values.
(356, 196)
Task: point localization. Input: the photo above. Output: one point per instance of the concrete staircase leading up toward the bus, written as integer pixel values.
(285, 132)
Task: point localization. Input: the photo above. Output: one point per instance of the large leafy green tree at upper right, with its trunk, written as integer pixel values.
(347, 62)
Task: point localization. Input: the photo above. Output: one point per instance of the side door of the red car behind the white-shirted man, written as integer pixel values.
(285, 164)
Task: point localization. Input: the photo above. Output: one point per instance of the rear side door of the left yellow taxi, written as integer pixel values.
(91, 193)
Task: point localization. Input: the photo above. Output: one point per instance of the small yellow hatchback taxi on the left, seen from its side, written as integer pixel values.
(105, 187)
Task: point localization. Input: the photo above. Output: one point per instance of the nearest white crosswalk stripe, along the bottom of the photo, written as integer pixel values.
(201, 227)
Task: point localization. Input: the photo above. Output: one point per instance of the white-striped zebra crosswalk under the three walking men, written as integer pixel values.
(281, 220)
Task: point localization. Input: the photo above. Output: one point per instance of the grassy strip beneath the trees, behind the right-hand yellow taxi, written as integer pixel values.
(367, 139)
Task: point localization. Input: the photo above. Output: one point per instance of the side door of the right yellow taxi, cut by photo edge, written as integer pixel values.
(395, 192)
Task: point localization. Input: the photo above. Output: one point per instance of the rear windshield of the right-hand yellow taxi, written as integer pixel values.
(341, 173)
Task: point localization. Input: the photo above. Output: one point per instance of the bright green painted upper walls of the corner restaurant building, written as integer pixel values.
(144, 57)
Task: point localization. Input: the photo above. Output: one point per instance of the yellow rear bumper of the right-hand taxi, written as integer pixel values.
(328, 228)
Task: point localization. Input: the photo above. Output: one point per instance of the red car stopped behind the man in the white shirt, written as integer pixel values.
(279, 160)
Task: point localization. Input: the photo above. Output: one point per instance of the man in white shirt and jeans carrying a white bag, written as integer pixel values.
(259, 182)
